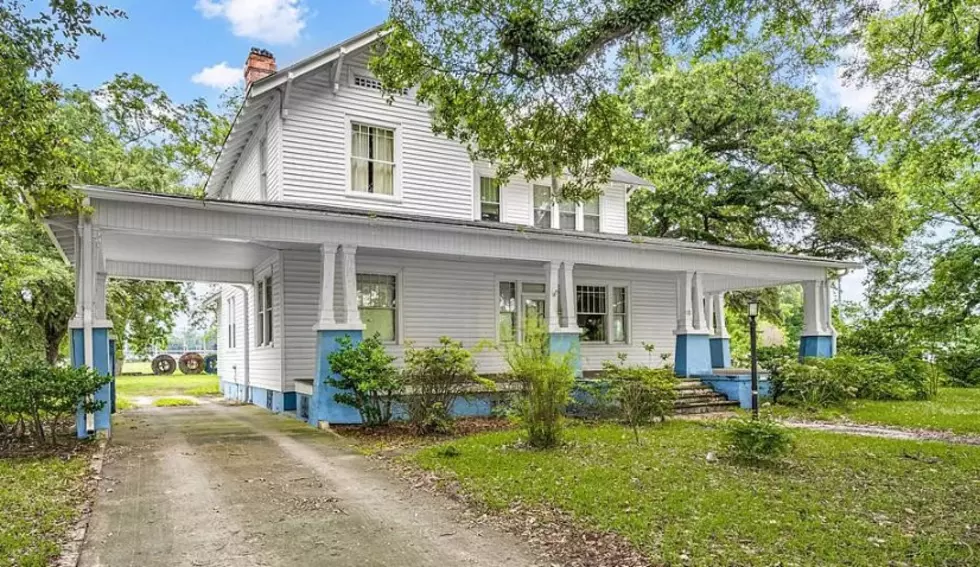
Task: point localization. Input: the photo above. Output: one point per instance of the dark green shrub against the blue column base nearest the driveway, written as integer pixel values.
(367, 378)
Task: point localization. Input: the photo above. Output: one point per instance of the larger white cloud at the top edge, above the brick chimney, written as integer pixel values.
(271, 21)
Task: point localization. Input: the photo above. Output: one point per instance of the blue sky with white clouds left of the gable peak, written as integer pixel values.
(168, 42)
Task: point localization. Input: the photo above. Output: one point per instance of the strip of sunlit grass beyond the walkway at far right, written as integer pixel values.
(954, 409)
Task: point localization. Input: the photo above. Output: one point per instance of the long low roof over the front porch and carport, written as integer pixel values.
(232, 235)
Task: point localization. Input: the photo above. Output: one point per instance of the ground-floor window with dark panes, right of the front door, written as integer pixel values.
(601, 313)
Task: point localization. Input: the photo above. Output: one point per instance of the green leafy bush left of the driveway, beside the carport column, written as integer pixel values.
(39, 401)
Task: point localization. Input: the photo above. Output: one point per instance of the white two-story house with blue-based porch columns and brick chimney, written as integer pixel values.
(333, 211)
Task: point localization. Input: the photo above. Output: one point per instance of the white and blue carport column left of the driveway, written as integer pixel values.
(89, 329)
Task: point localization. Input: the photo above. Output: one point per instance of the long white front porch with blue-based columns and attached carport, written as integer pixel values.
(297, 277)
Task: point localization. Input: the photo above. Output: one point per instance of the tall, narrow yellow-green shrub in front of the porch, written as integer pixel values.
(547, 381)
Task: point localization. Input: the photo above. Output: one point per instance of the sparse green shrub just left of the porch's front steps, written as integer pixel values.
(641, 394)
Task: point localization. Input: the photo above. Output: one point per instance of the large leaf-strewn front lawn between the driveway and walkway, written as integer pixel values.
(839, 499)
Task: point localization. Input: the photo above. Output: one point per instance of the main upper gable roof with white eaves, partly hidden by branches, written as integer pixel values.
(261, 93)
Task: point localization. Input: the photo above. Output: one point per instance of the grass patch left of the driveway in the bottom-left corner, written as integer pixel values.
(39, 500)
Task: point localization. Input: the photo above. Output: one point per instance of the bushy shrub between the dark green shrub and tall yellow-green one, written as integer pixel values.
(437, 377)
